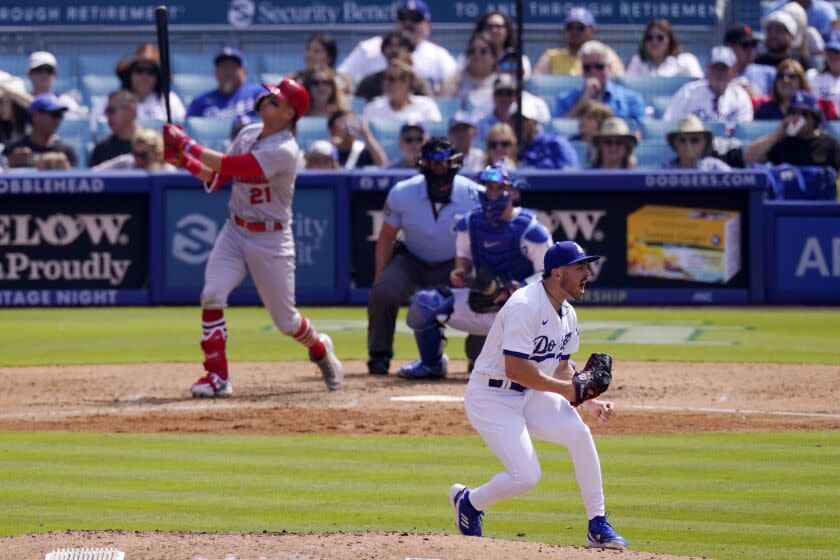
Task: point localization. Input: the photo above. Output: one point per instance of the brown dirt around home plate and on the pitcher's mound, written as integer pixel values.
(285, 398)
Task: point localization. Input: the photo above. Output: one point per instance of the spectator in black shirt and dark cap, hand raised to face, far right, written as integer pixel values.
(799, 139)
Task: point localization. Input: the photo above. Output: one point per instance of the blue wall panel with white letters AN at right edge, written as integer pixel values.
(806, 254)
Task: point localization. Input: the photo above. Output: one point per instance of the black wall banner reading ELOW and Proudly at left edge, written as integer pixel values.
(70, 250)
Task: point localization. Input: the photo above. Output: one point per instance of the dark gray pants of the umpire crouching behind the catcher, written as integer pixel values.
(403, 276)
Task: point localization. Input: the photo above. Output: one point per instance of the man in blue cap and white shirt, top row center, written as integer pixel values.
(432, 62)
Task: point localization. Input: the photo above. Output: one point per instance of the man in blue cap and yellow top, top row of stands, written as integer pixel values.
(578, 29)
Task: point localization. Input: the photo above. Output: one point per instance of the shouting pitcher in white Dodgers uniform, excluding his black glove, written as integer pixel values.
(521, 387)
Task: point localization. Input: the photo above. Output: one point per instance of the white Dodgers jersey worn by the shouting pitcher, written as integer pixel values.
(529, 327)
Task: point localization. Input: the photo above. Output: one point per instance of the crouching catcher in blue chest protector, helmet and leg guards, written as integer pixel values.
(498, 248)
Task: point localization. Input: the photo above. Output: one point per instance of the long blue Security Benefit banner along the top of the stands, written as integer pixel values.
(244, 14)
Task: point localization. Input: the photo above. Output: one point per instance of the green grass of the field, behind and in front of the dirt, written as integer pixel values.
(726, 496)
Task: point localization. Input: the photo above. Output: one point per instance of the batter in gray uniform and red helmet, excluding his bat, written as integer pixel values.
(257, 237)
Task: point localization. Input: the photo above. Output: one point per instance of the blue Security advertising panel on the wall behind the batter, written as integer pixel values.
(193, 219)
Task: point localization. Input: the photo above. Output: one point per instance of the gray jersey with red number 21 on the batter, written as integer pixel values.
(268, 197)
